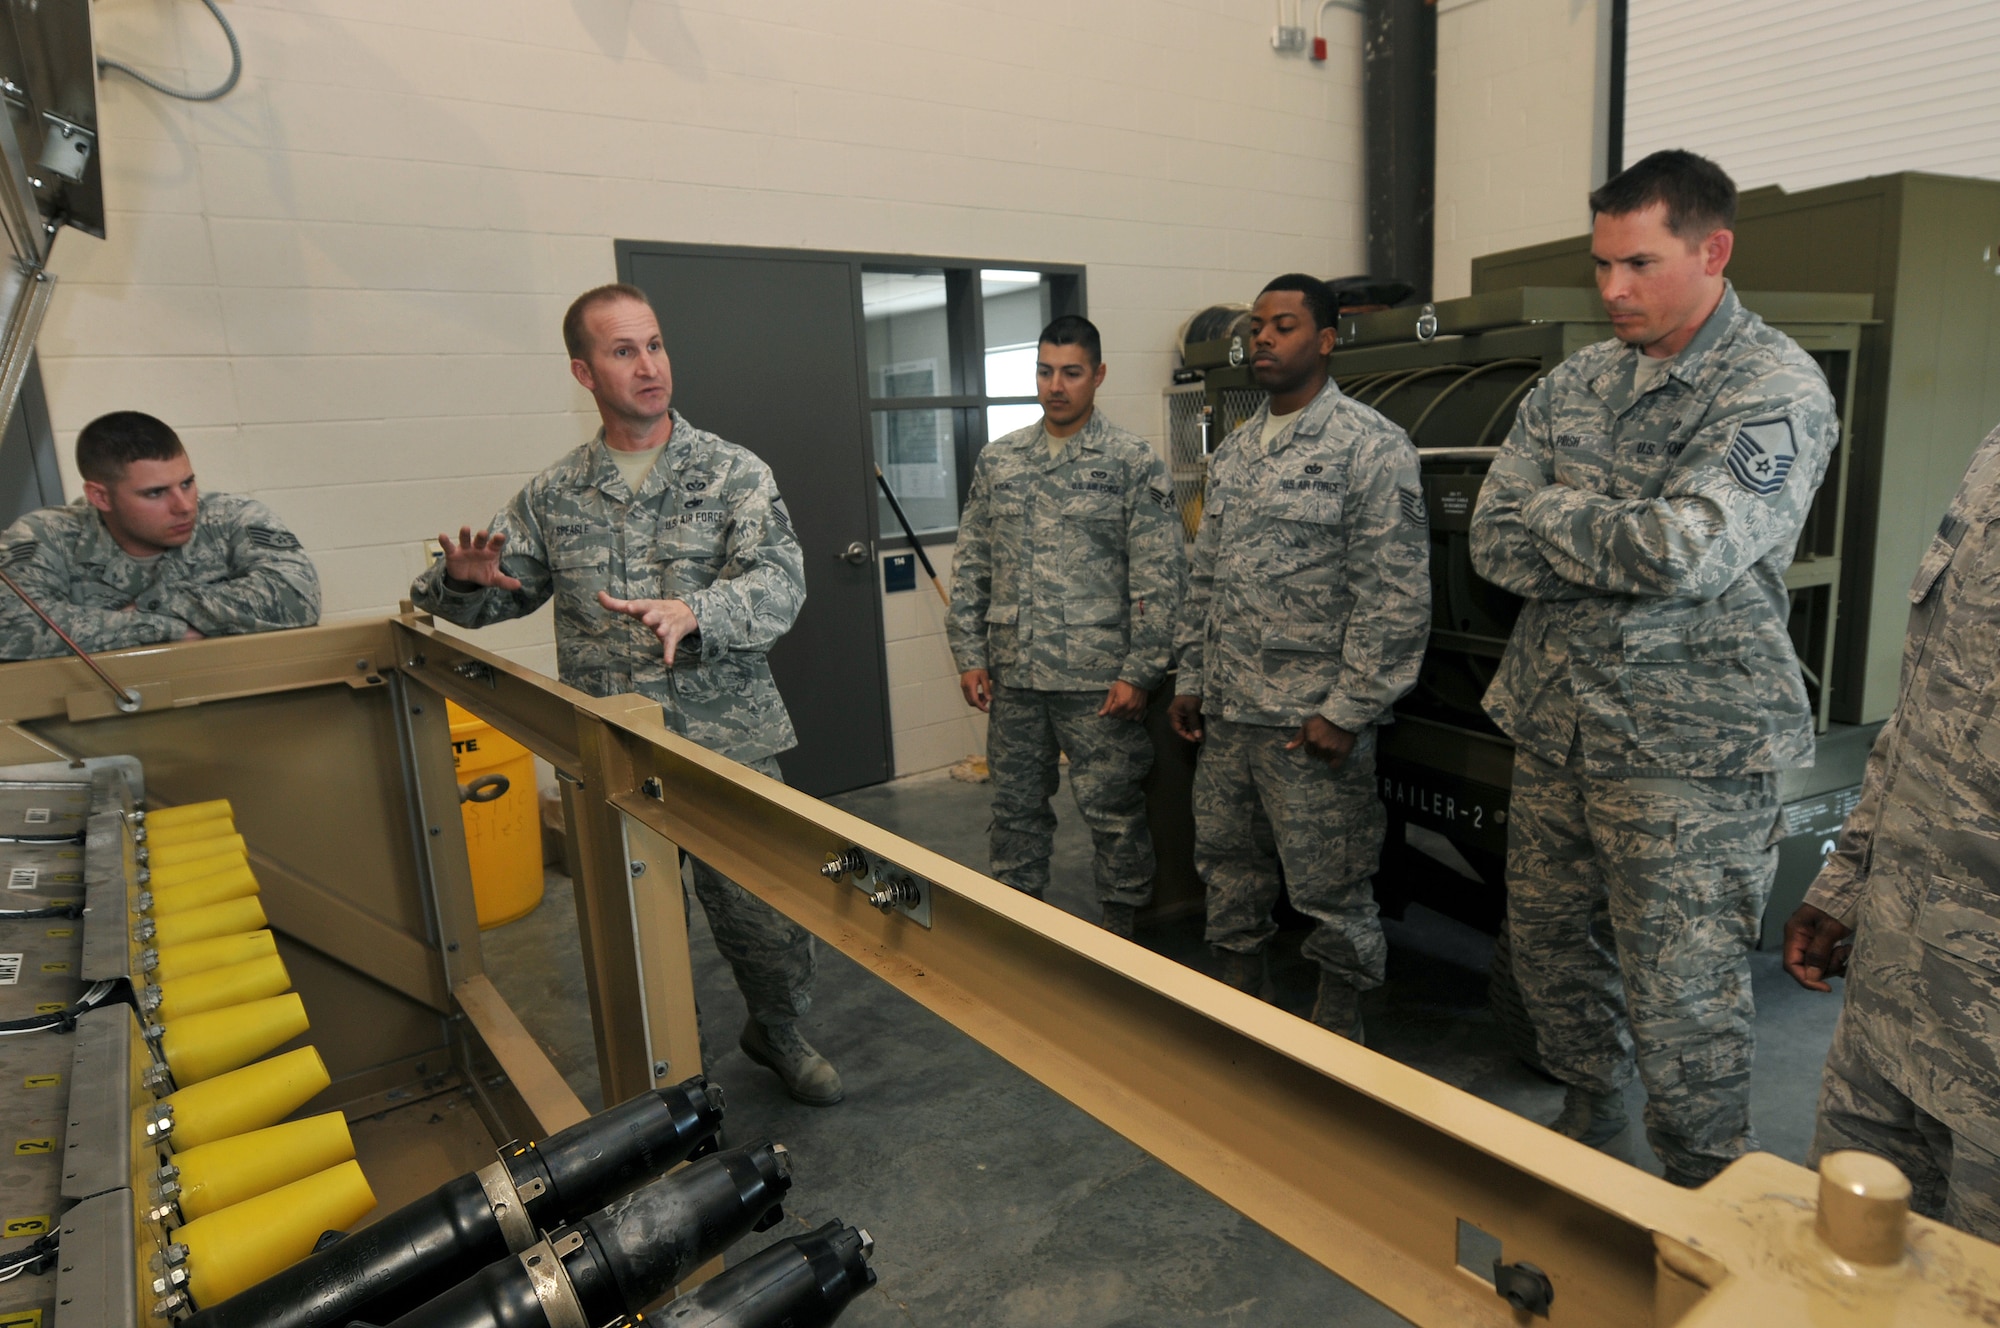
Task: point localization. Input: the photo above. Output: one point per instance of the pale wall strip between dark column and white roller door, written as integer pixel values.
(1519, 127)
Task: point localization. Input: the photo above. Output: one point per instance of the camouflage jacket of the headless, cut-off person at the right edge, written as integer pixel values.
(1919, 863)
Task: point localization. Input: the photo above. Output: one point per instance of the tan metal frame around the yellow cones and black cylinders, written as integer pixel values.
(1365, 1165)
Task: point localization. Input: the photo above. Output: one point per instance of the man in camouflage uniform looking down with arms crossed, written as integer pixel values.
(1647, 507)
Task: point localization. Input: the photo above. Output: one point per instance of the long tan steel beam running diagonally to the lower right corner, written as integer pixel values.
(1365, 1165)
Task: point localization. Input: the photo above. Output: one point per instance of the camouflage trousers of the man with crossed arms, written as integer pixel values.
(1633, 905)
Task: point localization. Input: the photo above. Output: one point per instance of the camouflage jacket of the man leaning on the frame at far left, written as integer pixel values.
(241, 573)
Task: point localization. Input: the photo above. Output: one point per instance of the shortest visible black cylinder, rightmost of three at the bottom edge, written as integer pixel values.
(799, 1283)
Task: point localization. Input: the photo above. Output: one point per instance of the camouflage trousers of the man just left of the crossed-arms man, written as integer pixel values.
(1329, 833)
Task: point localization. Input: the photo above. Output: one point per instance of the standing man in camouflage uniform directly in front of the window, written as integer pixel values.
(1069, 573)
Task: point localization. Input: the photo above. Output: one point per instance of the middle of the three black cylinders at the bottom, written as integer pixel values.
(625, 1257)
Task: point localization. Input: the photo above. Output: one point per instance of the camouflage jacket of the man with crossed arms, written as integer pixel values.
(1651, 533)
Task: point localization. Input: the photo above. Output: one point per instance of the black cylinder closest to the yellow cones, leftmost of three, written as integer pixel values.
(443, 1239)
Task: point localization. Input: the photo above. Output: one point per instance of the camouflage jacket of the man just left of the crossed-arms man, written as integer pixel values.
(1311, 579)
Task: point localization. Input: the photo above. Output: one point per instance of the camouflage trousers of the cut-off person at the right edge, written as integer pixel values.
(1951, 1179)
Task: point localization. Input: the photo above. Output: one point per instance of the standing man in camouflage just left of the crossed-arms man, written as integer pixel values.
(1307, 617)
